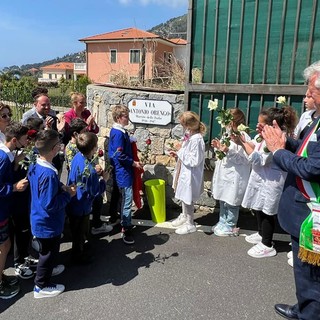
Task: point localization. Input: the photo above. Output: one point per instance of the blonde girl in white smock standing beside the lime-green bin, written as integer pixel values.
(188, 175)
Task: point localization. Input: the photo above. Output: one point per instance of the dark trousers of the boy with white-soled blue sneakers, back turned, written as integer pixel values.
(48, 257)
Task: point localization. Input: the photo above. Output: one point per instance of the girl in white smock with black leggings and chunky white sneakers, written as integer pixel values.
(266, 182)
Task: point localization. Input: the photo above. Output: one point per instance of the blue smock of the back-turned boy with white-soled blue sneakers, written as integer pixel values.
(48, 200)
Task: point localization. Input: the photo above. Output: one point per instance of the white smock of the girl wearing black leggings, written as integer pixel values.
(265, 183)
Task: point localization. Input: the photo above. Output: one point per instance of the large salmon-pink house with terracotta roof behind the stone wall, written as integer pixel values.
(131, 52)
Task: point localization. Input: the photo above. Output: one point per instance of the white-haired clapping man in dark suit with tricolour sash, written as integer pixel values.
(293, 208)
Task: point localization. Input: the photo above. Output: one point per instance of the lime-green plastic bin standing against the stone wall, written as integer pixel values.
(156, 195)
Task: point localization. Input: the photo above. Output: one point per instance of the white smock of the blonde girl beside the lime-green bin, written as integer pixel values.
(190, 180)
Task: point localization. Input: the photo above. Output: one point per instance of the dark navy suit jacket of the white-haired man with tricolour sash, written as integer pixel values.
(293, 207)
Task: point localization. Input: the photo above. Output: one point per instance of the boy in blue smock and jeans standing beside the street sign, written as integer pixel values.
(121, 158)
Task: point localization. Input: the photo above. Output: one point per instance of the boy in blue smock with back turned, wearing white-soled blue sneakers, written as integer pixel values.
(49, 198)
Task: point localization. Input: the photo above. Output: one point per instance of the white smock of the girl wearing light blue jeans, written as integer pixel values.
(231, 175)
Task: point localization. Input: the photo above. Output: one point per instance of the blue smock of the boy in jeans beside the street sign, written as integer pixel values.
(120, 155)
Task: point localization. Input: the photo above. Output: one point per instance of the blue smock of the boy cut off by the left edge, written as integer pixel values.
(6, 184)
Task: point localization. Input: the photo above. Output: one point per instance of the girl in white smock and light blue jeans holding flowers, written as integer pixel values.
(230, 179)
